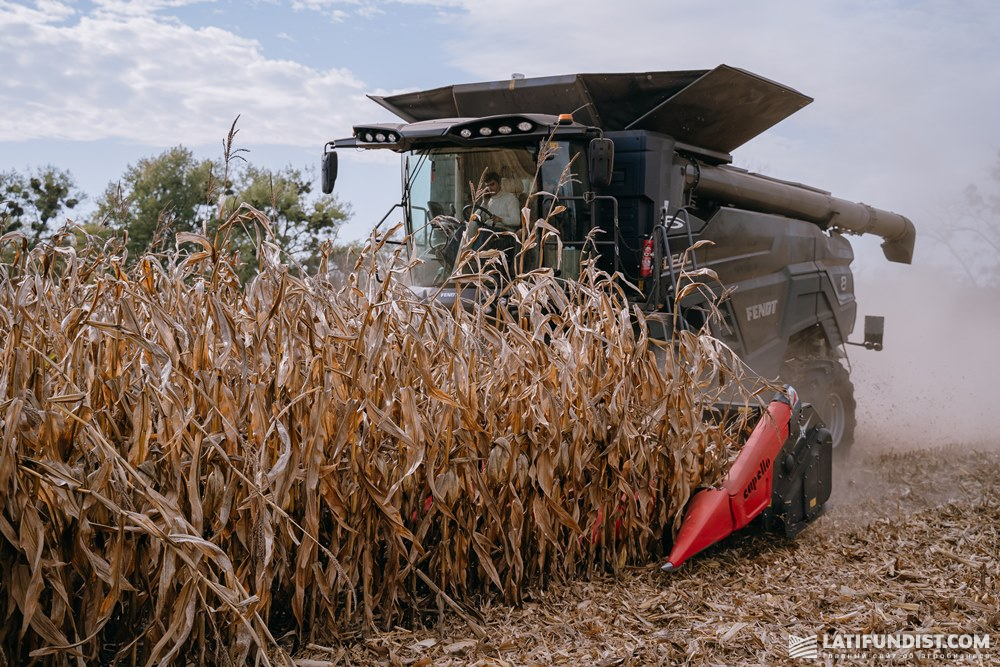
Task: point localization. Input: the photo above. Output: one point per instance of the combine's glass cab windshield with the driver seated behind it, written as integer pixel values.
(457, 193)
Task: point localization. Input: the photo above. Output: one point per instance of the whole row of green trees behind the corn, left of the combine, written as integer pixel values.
(172, 192)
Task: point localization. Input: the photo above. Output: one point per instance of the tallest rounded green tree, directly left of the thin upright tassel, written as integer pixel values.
(158, 197)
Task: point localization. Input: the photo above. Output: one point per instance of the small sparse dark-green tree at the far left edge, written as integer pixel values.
(34, 203)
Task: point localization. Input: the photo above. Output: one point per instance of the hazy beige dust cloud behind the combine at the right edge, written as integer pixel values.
(935, 383)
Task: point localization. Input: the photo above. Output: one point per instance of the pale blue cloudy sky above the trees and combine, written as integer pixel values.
(906, 92)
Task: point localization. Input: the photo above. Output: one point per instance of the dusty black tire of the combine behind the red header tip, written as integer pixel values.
(827, 385)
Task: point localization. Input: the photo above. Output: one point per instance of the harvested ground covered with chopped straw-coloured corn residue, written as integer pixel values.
(909, 544)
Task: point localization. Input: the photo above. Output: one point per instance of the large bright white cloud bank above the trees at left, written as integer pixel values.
(156, 81)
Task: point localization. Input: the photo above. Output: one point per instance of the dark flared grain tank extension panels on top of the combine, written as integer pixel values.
(719, 109)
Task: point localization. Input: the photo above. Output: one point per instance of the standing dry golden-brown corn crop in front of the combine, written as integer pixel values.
(192, 468)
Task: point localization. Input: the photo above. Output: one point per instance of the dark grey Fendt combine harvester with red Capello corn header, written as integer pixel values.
(649, 155)
